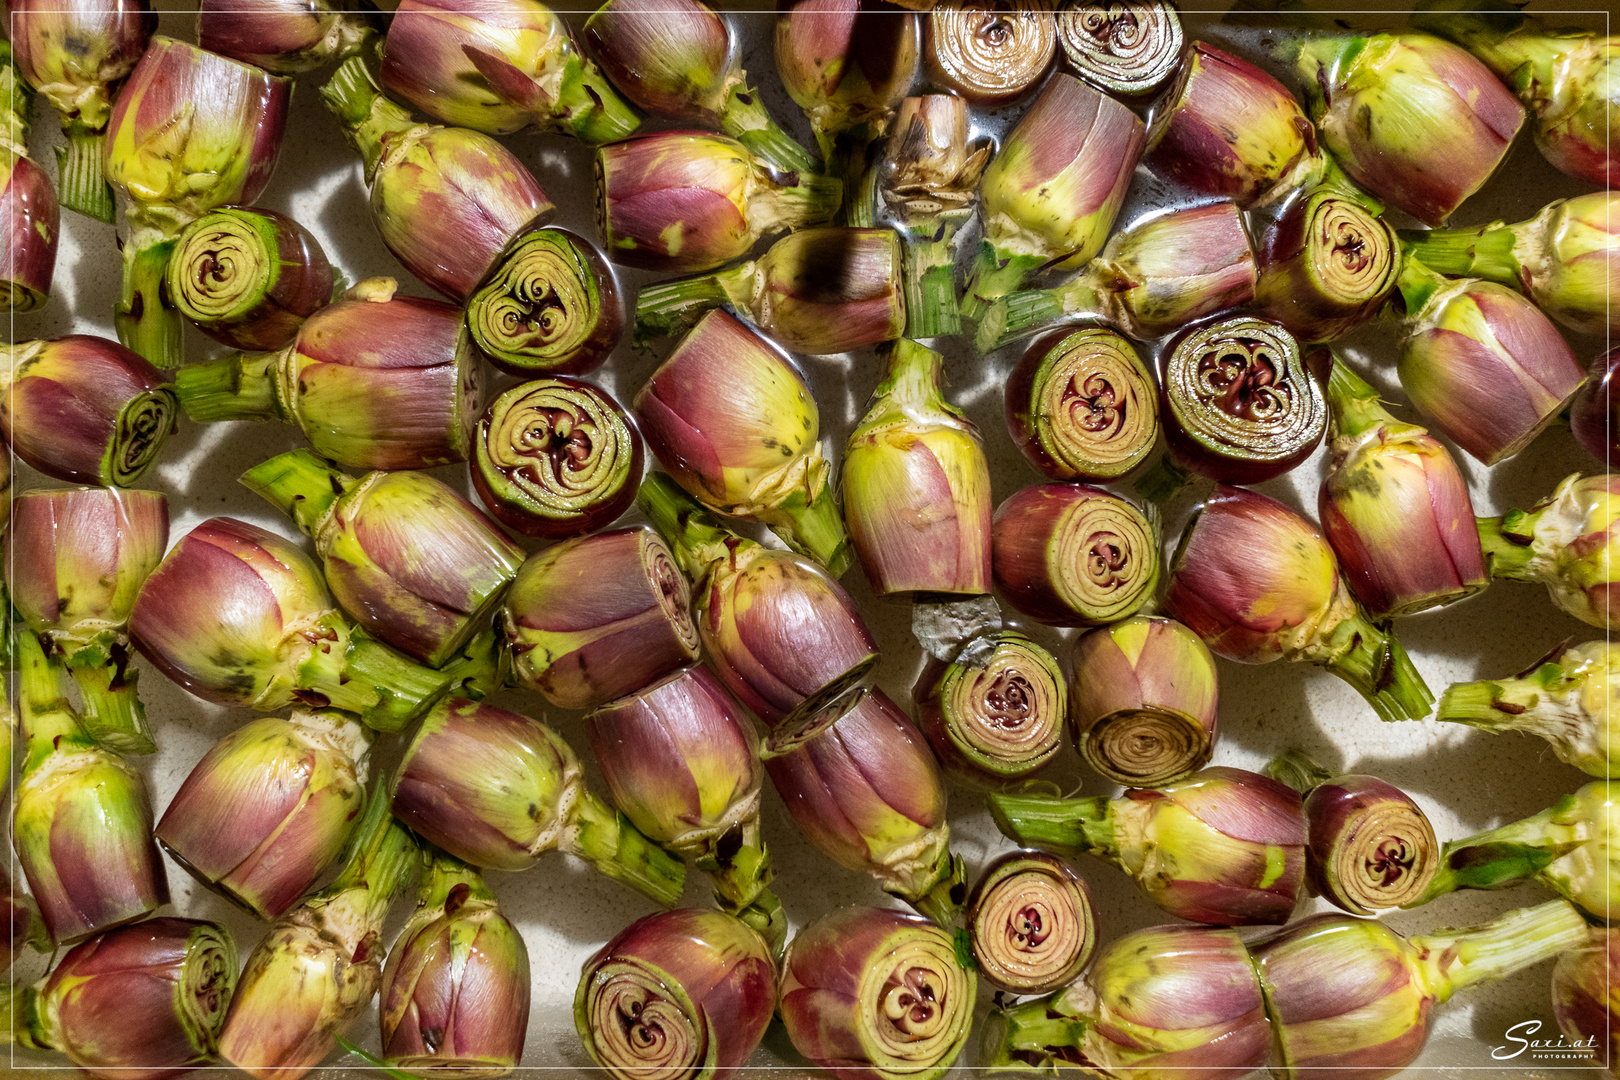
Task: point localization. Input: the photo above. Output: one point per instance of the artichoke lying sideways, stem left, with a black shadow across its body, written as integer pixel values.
(817, 291)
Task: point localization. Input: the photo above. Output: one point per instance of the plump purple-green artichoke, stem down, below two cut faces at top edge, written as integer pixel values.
(1052, 195)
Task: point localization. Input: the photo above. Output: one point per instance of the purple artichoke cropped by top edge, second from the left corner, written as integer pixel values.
(288, 36)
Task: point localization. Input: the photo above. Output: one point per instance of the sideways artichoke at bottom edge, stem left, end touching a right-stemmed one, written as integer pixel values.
(1167, 1003)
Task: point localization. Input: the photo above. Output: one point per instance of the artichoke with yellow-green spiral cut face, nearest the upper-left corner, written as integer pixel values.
(249, 278)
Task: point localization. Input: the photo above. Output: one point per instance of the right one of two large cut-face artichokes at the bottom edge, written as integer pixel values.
(877, 995)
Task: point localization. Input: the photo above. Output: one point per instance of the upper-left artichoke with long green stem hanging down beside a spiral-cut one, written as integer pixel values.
(192, 132)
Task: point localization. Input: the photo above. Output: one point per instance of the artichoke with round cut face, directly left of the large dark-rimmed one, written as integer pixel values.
(1083, 406)
